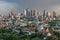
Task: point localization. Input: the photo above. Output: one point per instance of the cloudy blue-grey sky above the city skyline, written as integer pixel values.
(49, 5)
